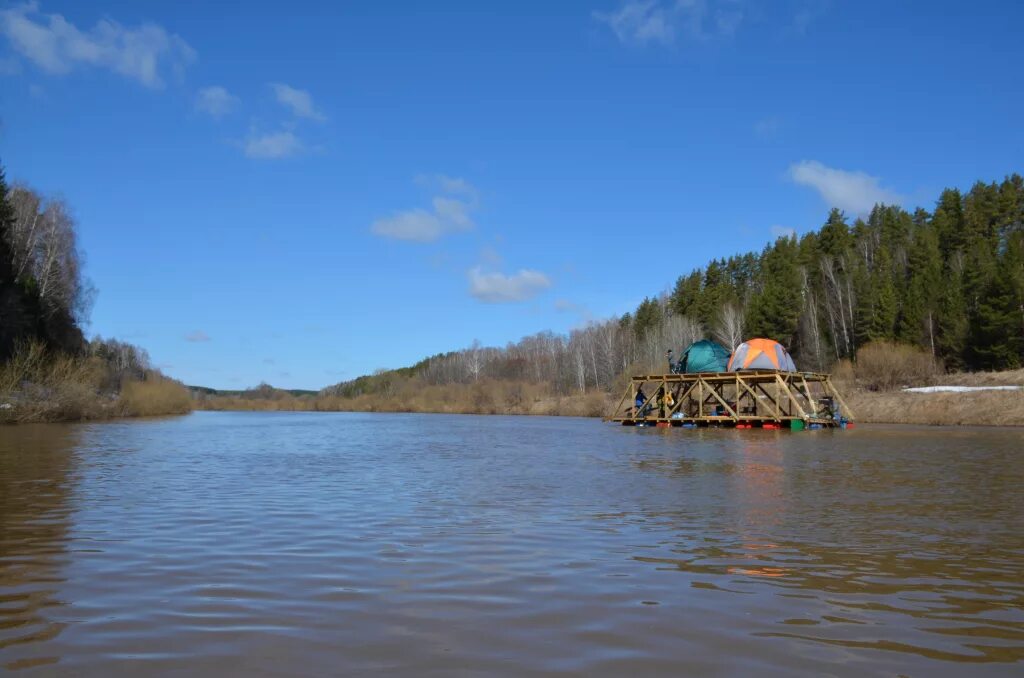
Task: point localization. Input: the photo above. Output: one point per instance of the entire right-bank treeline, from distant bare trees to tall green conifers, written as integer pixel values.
(950, 282)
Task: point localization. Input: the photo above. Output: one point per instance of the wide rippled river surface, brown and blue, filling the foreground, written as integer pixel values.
(350, 544)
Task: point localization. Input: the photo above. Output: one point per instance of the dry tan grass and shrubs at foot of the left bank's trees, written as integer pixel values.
(37, 386)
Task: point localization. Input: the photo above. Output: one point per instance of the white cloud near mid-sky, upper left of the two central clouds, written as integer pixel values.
(422, 226)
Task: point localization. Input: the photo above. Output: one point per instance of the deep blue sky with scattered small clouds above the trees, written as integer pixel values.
(304, 194)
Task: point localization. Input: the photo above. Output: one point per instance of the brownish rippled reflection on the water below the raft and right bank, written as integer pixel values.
(927, 548)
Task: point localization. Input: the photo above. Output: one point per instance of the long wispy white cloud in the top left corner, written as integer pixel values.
(58, 47)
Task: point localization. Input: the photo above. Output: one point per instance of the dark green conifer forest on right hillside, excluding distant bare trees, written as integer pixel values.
(951, 282)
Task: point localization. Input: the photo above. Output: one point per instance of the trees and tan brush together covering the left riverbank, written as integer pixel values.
(49, 371)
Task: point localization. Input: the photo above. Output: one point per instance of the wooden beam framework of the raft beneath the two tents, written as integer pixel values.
(767, 399)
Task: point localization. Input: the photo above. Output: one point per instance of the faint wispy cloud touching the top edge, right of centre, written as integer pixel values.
(643, 22)
